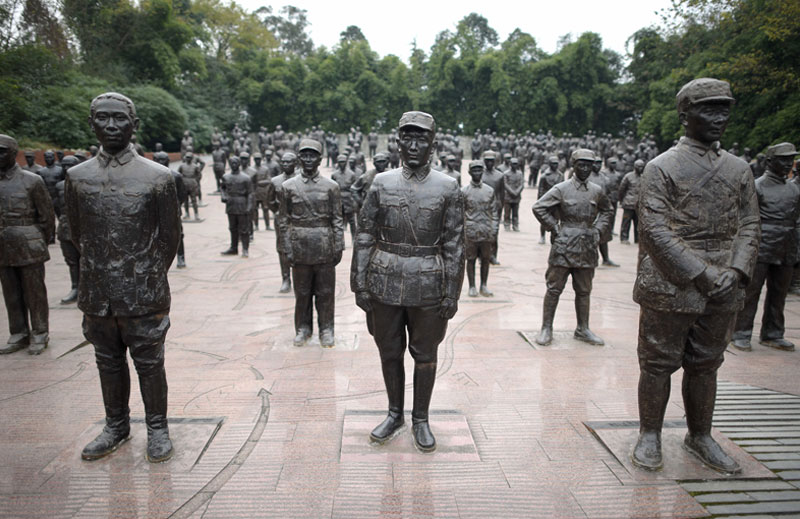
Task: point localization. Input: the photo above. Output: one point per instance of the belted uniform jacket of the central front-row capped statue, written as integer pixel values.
(410, 245)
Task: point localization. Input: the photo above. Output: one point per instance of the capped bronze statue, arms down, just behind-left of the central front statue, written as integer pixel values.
(311, 229)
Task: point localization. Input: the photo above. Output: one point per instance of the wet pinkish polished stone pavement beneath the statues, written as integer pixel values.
(264, 429)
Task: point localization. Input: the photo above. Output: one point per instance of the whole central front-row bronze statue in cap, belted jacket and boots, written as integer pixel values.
(407, 271)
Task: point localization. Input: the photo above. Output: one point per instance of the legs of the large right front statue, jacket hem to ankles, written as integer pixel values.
(669, 341)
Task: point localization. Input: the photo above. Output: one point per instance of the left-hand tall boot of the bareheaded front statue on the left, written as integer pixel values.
(116, 390)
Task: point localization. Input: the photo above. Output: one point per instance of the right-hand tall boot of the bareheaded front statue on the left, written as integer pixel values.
(154, 396)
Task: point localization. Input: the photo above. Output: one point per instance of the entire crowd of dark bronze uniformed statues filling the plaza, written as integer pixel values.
(709, 239)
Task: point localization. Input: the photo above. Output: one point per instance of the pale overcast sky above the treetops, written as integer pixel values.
(391, 26)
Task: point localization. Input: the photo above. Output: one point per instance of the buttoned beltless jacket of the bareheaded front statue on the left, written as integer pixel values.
(125, 221)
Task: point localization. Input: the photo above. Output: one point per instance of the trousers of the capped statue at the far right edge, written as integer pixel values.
(778, 279)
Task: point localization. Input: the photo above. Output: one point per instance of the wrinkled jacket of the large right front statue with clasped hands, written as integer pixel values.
(683, 229)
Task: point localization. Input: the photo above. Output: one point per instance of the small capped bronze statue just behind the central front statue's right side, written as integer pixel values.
(480, 226)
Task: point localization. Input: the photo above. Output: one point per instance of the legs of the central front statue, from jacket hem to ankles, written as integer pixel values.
(422, 330)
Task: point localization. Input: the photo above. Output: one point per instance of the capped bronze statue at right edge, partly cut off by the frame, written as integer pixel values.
(778, 254)
